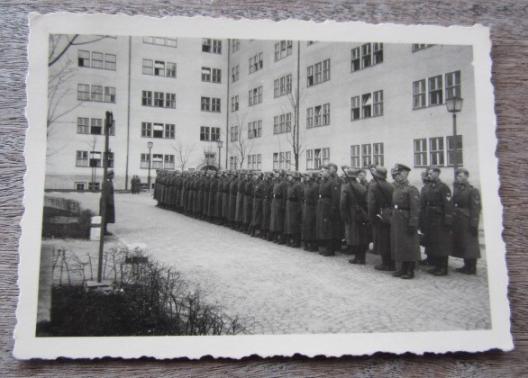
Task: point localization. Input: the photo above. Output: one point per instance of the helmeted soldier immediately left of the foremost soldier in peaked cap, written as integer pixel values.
(379, 206)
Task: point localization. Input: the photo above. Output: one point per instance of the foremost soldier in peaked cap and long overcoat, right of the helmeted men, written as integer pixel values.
(405, 248)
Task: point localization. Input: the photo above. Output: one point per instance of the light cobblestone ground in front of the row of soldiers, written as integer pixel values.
(277, 289)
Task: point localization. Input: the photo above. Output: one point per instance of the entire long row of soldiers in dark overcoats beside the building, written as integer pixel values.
(324, 212)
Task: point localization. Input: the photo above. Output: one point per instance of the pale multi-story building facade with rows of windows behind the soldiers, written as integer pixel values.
(273, 104)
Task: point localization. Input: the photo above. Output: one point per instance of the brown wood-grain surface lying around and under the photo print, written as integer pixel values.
(508, 21)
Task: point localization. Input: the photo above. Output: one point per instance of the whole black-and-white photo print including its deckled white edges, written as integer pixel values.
(213, 182)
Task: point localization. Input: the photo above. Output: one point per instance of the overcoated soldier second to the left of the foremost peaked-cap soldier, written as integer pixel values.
(353, 210)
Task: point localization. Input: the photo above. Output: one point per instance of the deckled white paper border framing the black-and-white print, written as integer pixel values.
(27, 345)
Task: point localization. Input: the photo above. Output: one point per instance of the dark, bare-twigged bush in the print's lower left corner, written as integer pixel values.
(148, 299)
